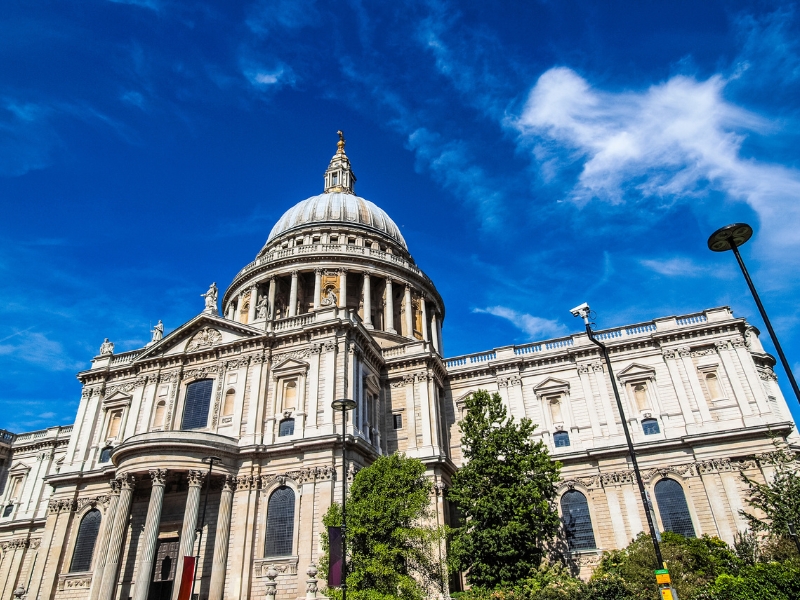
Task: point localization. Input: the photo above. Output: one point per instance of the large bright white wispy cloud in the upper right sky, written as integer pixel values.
(675, 141)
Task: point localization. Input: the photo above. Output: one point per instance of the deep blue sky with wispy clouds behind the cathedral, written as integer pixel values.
(535, 155)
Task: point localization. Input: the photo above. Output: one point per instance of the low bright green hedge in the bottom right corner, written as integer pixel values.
(766, 581)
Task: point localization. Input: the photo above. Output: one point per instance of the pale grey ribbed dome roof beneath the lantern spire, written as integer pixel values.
(338, 208)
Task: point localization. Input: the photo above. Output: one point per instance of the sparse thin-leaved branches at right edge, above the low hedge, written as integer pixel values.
(778, 500)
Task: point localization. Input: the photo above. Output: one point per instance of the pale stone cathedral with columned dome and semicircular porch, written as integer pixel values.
(334, 306)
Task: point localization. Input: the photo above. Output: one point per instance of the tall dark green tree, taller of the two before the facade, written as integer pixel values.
(504, 492)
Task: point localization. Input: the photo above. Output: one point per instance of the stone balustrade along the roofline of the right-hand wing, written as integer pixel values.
(640, 329)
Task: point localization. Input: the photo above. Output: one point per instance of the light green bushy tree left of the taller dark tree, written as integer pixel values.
(391, 551)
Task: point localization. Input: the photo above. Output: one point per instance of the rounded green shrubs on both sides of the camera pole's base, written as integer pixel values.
(692, 563)
